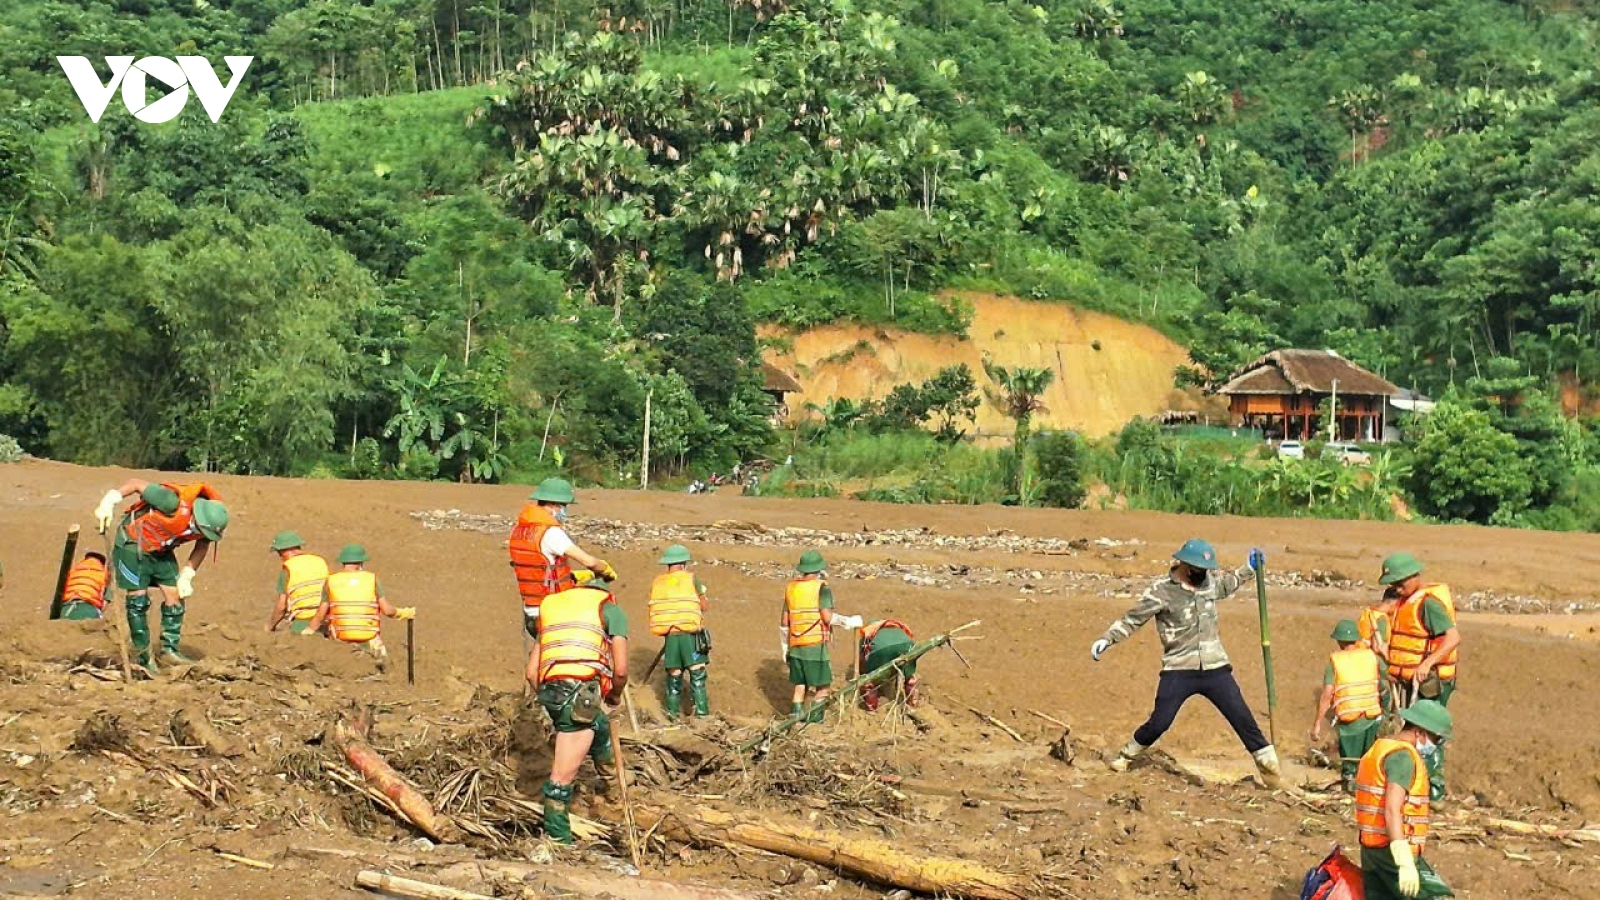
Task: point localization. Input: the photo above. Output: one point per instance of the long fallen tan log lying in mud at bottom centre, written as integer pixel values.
(863, 858)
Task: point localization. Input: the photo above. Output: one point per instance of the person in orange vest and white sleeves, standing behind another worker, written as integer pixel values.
(542, 548)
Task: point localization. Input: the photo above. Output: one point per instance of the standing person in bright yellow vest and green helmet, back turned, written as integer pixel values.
(678, 614)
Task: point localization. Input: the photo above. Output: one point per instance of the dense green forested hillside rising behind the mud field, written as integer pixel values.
(447, 239)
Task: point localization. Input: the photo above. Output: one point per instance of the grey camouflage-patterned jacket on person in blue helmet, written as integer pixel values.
(1185, 619)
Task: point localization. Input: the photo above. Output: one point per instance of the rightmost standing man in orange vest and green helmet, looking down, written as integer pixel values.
(1423, 646)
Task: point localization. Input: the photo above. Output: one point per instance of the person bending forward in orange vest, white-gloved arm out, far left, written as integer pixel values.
(143, 555)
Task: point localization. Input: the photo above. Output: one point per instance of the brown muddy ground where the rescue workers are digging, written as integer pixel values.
(1046, 584)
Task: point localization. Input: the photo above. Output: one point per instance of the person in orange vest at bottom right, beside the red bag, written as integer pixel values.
(1393, 808)
